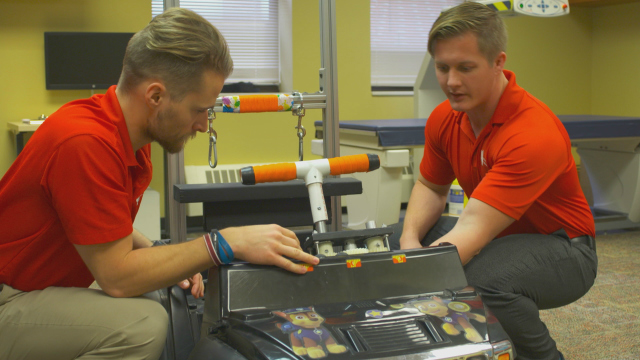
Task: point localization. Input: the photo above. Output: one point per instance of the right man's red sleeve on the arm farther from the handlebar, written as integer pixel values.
(524, 168)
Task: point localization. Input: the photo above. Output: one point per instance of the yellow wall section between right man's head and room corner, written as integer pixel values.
(552, 59)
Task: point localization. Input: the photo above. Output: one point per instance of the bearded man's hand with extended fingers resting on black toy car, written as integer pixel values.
(268, 245)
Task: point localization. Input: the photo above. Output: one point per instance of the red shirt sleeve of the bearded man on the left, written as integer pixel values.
(87, 182)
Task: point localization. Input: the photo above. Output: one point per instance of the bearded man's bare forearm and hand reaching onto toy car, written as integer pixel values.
(123, 271)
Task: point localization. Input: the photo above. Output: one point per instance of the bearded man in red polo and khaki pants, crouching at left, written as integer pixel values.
(69, 200)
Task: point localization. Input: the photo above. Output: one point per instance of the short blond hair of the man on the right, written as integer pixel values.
(471, 17)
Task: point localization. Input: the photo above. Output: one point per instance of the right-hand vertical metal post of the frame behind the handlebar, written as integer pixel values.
(329, 86)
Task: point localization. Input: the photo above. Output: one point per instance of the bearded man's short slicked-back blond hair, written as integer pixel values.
(177, 46)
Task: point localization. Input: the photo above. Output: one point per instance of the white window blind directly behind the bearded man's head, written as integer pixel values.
(251, 30)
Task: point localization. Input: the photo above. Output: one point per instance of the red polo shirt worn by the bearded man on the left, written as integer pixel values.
(77, 181)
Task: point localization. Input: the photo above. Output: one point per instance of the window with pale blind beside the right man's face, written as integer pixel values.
(399, 35)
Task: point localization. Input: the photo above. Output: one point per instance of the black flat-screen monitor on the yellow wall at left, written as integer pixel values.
(83, 60)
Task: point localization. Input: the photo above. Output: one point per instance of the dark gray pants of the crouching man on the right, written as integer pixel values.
(518, 275)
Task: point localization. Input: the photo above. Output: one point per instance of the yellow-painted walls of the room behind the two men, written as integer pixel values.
(581, 63)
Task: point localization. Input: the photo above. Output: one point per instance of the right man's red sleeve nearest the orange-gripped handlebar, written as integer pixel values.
(435, 166)
